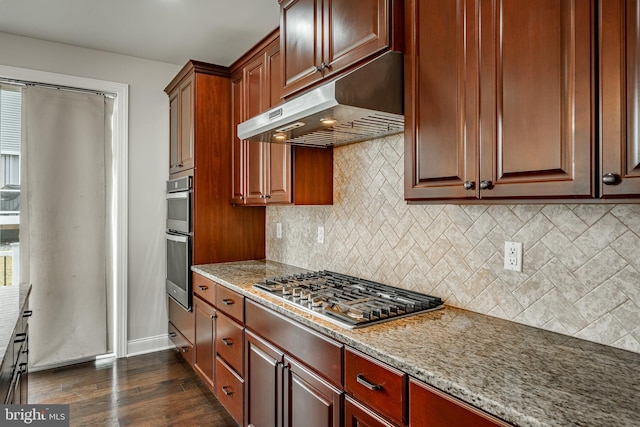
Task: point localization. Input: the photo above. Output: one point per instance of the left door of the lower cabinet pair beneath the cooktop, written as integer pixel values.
(263, 383)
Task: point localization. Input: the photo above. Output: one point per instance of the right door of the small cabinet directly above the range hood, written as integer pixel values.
(353, 31)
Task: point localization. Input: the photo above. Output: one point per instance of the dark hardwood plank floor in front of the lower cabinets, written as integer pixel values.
(156, 389)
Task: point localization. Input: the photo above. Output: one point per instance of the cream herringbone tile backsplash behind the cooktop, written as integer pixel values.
(581, 263)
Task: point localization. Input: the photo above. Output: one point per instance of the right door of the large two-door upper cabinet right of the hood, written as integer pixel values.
(536, 109)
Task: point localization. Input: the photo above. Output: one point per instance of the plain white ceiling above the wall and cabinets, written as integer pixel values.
(173, 31)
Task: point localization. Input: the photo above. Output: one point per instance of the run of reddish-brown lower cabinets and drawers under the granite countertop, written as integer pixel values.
(268, 370)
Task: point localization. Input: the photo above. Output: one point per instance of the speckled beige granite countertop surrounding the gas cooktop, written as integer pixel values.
(524, 375)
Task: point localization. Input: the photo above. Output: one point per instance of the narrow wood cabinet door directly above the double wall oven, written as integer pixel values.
(181, 126)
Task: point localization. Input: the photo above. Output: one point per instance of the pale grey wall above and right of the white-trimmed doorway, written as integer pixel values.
(148, 162)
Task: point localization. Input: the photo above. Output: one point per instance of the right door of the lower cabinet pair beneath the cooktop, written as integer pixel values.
(309, 400)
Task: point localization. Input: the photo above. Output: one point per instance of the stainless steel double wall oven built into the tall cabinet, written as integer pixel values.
(178, 240)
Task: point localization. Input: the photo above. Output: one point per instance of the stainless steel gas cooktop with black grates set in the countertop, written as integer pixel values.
(347, 301)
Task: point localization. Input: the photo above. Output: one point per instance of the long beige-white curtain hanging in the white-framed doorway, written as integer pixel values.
(65, 243)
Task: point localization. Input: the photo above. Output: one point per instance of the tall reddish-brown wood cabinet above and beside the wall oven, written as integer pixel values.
(221, 232)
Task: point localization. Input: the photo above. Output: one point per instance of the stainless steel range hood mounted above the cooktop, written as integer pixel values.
(363, 104)
